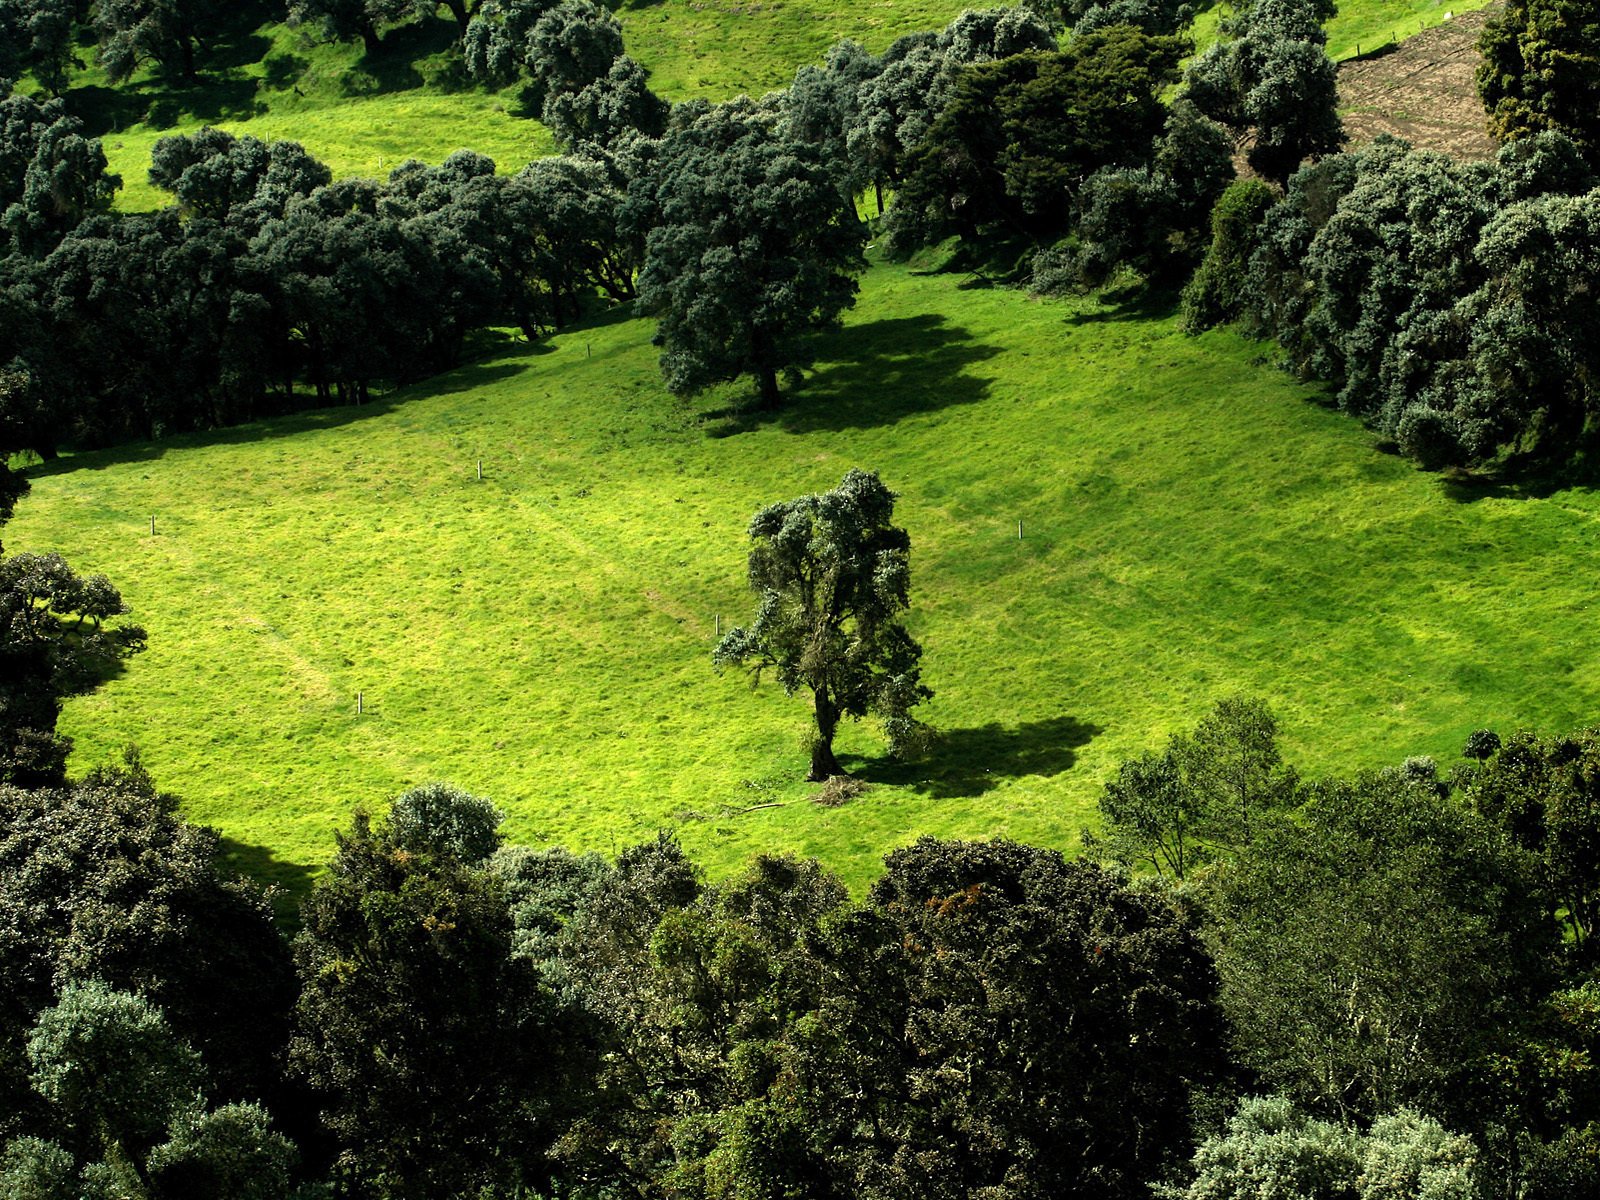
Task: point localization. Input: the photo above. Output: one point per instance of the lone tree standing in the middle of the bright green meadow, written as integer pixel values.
(833, 577)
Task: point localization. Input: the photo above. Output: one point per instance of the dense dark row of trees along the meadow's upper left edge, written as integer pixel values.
(266, 278)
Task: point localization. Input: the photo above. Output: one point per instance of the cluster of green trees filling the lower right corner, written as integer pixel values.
(1399, 954)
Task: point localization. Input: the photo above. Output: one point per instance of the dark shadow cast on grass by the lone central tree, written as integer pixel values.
(970, 762)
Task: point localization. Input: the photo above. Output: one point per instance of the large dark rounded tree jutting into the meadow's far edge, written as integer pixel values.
(750, 250)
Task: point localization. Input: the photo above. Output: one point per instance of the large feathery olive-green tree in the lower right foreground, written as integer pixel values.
(1380, 950)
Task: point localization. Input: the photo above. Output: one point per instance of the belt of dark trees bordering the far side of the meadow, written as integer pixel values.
(1446, 302)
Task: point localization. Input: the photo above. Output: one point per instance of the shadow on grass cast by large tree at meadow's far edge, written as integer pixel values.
(882, 372)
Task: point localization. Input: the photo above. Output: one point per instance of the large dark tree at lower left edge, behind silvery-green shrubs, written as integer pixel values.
(105, 881)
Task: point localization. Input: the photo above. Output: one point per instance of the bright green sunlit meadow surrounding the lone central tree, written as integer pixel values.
(1193, 527)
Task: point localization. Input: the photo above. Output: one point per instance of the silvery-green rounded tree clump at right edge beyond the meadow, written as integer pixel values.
(1449, 303)
